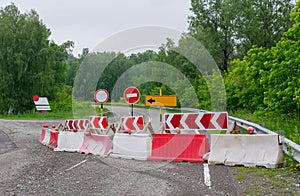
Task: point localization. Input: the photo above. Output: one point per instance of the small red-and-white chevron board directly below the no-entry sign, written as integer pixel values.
(133, 123)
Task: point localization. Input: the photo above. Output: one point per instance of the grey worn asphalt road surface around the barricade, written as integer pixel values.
(33, 169)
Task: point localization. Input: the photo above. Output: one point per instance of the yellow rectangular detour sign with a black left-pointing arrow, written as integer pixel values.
(161, 100)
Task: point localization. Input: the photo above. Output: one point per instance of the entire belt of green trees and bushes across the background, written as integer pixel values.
(254, 43)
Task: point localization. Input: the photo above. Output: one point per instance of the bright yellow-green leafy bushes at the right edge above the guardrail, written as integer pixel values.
(268, 78)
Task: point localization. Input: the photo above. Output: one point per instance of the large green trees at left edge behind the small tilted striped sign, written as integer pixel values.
(30, 64)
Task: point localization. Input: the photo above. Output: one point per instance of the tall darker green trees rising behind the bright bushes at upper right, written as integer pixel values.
(229, 28)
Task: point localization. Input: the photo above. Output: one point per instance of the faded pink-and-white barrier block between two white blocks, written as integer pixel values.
(96, 144)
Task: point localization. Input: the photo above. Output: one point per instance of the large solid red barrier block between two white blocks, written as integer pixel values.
(179, 147)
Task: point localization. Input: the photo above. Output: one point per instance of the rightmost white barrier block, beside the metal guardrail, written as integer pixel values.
(247, 150)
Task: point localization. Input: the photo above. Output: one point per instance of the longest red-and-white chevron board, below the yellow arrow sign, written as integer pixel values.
(202, 121)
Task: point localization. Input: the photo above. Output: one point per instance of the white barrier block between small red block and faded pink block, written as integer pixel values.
(69, 141)
